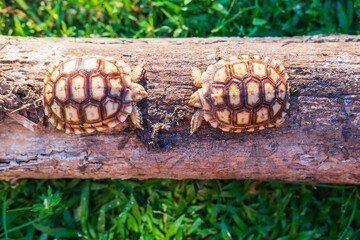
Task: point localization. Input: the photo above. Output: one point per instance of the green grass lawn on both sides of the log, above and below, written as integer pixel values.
(169, 209)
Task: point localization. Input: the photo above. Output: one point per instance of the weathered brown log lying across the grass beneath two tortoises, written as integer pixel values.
(320, 141)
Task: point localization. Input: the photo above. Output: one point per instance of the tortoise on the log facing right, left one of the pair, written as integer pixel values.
(90, 94)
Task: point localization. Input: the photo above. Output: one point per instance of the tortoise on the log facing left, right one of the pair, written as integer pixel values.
(241, 94)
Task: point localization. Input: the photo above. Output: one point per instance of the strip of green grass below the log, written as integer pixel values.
(170, 209)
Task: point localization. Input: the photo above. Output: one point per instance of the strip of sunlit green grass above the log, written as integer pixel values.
(178, 18)
